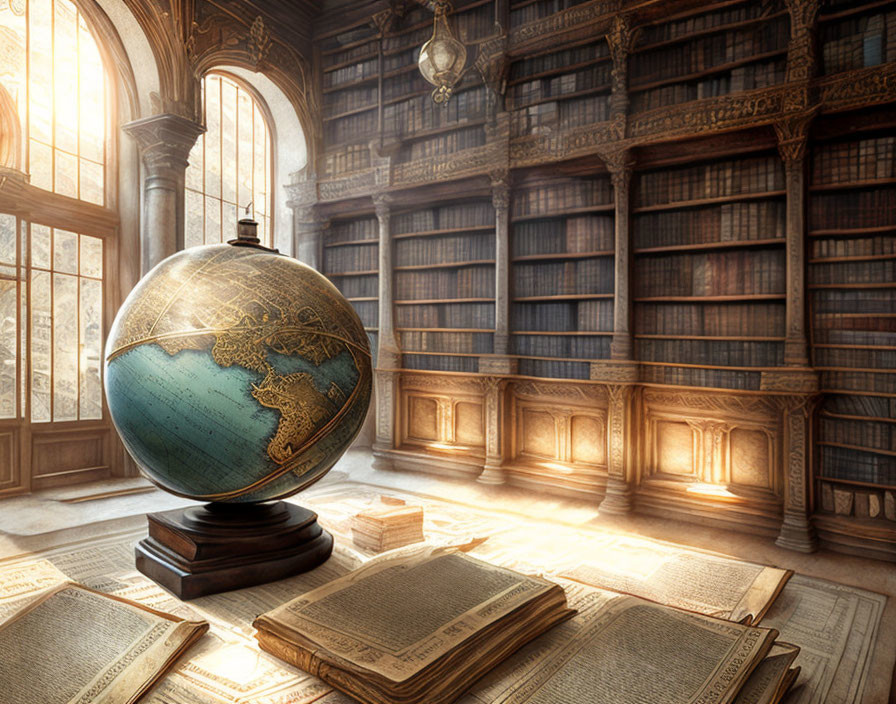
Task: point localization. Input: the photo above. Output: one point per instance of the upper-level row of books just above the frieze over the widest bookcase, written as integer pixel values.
(750, 77)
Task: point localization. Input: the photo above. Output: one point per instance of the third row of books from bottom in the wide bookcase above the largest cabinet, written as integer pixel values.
(759, 319)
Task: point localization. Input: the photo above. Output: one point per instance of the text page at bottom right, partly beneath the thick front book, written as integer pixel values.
(624, 650)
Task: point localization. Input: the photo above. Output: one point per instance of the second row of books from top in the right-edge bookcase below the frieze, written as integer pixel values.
(853, 210)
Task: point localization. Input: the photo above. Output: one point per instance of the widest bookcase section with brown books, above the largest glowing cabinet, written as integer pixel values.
(709, 272)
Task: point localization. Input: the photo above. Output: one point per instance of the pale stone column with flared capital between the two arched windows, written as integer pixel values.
(165, 142)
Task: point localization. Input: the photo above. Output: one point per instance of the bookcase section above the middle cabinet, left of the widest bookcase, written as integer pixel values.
(562, 247)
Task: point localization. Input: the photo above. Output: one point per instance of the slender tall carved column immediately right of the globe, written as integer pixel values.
(386, 376)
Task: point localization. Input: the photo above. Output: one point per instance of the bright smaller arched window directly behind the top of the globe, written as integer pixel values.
(230, 165)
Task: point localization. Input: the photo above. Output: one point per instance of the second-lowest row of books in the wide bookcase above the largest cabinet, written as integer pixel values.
(733, 353)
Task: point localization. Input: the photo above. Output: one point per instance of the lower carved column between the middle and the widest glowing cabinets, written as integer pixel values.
(620, 449)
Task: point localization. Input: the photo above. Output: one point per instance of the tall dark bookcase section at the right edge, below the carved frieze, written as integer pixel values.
(852, 280)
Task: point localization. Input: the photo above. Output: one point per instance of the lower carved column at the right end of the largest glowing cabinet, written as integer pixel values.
(797, 532)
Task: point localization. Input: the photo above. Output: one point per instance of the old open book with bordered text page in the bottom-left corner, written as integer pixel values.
(74, 645)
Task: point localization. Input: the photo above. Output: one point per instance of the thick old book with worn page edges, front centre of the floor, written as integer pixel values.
(416, 628)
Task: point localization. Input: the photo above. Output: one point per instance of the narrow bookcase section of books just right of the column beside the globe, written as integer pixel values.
(444, 264)
